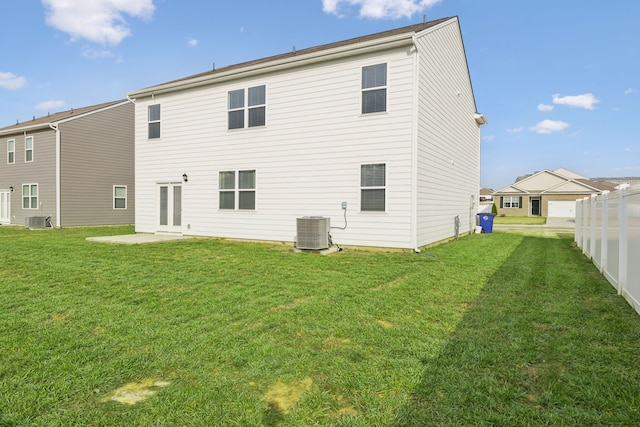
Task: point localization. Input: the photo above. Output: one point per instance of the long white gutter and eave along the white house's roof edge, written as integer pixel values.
(279, 64)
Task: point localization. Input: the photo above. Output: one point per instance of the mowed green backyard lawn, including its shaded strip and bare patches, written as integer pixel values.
(491, 329)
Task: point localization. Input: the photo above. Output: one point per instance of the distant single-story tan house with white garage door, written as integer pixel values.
(547, 193)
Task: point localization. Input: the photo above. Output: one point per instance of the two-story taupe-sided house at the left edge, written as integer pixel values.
(75, 167)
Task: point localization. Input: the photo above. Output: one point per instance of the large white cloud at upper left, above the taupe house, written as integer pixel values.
(99, 21)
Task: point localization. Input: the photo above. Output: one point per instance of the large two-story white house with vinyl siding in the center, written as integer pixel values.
(378, 133)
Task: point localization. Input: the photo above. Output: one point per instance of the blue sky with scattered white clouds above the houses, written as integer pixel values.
(559, 81)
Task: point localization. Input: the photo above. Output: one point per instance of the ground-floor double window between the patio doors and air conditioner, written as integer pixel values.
(239, 192)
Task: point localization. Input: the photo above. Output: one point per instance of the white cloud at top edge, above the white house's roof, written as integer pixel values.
(379, 9)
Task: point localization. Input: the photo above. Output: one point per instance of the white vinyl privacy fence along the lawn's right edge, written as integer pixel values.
(608, 232)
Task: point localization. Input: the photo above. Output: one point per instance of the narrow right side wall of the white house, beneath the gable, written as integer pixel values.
(448, 162)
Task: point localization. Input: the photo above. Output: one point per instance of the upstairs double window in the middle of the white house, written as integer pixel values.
(254, 114)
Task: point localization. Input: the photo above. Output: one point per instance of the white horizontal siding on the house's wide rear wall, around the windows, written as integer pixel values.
(308, 160)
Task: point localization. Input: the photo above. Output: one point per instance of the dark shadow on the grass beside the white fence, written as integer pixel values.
(547, 342)
